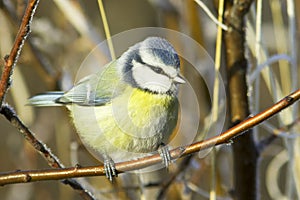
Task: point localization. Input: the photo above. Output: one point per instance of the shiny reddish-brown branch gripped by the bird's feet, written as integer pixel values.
(225, 137)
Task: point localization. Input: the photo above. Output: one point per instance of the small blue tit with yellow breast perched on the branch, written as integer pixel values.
(128, 109)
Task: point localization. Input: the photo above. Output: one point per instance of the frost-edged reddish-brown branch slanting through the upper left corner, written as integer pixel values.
(12, 58)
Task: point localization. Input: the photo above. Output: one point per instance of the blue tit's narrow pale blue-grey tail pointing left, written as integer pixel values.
(46, 99)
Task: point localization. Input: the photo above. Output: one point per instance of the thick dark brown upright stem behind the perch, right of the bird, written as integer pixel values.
(245, 152)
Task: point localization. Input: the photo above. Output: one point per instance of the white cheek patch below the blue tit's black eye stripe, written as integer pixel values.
(148, 79)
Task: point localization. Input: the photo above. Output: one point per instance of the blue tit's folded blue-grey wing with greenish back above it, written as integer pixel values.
(95, 89)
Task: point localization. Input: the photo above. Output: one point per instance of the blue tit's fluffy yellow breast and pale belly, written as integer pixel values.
(136, 121)
